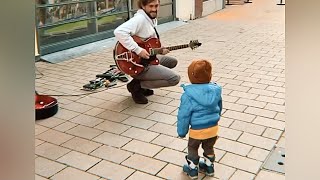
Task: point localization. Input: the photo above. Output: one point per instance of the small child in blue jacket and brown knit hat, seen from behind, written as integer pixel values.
(199, 113)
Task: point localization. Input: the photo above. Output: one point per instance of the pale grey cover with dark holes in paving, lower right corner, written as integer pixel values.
(275, 161)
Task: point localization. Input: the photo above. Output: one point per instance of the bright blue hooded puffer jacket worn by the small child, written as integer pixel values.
(200, 107)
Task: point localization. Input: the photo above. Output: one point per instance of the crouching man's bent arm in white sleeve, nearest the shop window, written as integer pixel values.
(124, 32)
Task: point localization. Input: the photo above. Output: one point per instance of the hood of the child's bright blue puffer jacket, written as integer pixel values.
(204, 94)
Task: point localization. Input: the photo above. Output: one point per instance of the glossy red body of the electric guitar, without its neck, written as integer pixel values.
(129, 62)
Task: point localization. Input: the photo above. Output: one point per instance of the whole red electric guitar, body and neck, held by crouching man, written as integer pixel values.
(130, 63)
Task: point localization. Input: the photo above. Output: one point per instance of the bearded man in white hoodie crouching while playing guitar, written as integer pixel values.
(154, 76)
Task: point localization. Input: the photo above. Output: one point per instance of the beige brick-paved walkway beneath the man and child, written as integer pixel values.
(106, 136)
